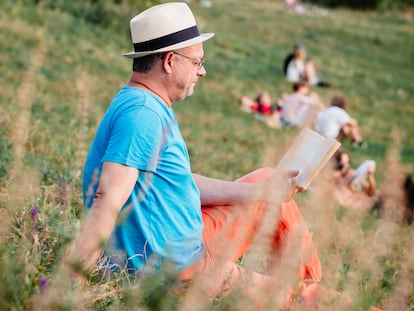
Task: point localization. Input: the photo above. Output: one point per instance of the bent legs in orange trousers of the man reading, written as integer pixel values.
(229, 232)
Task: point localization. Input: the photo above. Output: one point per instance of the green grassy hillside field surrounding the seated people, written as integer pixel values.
(59, 74)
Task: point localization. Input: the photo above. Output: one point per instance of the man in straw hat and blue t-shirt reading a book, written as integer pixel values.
(143, 199)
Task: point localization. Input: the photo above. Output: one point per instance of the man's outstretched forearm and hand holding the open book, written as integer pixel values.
(277, 189)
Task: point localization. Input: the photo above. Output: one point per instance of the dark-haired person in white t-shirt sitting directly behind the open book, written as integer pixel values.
(335, 122)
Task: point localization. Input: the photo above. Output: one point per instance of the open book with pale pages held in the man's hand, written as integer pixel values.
(308, 154)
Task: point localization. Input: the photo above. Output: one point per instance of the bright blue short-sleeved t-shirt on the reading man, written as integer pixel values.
(162, 218)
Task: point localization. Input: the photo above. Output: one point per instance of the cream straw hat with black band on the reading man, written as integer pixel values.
(163, 28)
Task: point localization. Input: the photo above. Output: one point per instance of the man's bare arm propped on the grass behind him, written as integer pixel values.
(115, 186)
